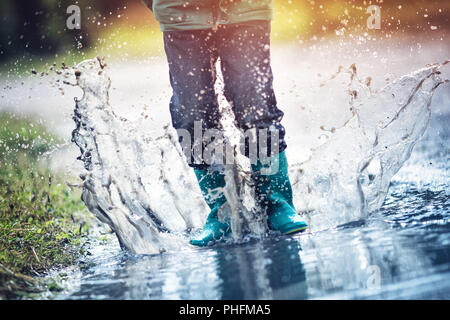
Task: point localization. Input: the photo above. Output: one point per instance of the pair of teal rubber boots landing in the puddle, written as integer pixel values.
(273, 190)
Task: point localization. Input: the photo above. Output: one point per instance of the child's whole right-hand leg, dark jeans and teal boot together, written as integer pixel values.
(245, 57)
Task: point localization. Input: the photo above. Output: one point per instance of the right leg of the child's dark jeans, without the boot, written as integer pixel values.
(245, 62)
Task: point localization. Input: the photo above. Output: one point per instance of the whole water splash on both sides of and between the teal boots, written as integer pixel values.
(140, 185)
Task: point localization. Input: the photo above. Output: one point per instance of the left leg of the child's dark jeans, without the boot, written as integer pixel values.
(191, 57)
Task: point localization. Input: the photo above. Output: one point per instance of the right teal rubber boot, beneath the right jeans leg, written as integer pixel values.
(275, 192)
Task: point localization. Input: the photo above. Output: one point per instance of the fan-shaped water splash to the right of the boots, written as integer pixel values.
(348, 176)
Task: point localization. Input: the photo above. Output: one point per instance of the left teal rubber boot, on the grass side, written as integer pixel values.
(214, 230)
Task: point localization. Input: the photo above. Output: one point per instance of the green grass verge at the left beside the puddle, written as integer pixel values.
(43, 224)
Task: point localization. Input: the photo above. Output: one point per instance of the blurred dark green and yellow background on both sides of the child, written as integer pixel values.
(35, 31)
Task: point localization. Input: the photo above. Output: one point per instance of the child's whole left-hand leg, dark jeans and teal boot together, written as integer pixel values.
(192, 56)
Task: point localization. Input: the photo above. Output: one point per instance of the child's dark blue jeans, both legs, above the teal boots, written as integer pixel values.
(244, 51)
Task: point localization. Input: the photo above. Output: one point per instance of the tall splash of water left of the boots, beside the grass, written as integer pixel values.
(134, 182)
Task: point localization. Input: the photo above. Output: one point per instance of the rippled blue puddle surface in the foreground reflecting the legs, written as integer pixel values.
(400, 252)
